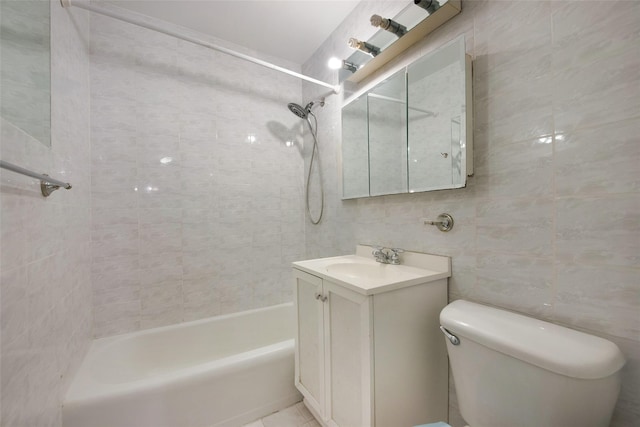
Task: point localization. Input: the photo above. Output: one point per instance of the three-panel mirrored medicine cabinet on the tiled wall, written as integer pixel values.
(411, 132)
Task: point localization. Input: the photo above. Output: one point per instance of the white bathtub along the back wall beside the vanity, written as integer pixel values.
(222, 371)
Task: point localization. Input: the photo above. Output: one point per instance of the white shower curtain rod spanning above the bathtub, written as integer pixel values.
(132, 20)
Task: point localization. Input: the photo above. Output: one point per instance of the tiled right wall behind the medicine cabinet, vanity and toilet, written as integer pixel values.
(550, 223)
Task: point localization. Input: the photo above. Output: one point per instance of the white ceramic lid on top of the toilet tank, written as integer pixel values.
(552, 347)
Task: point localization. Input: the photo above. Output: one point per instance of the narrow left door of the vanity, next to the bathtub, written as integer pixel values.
(309, 352)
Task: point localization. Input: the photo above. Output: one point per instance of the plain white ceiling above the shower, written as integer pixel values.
(287, 29)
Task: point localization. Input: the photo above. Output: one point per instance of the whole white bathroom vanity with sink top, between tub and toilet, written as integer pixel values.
(369, 351)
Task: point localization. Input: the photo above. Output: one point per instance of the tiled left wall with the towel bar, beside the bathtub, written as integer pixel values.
(46, 313)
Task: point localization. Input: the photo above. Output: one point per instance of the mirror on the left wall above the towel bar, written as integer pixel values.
(25, 67)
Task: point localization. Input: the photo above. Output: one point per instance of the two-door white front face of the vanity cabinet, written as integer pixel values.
(333, 337)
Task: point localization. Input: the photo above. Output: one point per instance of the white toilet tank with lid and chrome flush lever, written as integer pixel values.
(512, 370)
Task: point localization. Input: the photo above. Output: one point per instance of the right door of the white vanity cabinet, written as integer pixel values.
(348, 352)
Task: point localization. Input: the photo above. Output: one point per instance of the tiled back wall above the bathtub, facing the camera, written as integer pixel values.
(197, 197)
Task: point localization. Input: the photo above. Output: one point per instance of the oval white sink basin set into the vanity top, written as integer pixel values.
(372, 271)
